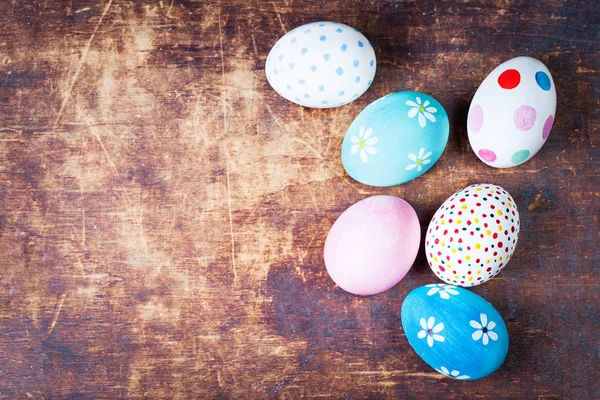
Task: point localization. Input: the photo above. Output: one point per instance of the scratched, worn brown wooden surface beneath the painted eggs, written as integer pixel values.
(163, 211)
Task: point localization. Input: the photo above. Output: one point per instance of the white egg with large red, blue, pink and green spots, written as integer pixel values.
(512, 112)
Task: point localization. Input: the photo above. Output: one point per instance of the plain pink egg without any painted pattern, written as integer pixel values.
(372, 245)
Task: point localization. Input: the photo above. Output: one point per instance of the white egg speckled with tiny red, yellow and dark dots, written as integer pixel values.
(473, 235)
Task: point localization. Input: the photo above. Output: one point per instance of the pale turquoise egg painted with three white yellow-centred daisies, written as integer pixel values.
(395, 139)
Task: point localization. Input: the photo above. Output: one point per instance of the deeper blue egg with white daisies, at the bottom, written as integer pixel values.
(455, 331)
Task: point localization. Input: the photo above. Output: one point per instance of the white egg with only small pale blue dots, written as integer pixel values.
(321, 65)
